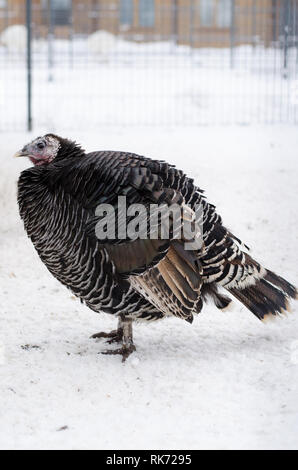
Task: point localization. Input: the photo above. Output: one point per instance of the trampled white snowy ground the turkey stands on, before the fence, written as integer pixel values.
(227, 381)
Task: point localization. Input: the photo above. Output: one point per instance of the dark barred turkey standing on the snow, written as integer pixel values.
(63, 201)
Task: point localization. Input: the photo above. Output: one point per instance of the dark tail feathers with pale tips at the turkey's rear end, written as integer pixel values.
(269, 296)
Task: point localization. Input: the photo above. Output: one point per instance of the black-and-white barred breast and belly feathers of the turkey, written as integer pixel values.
(78, 262)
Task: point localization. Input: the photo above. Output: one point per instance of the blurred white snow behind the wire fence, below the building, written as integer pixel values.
(123, 83)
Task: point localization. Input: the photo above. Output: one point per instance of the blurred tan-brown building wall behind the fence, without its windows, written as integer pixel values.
(178, 20)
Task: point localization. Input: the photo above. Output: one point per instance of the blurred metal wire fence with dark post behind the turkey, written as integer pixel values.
(73, 64)
